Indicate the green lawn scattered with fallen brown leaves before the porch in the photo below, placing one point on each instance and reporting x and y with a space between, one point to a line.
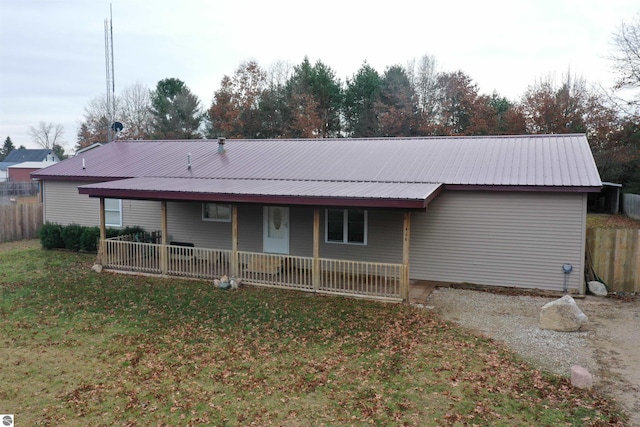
79 348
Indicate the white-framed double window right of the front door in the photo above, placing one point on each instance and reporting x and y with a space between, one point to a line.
346 226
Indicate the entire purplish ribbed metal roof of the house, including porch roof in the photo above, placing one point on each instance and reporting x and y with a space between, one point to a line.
334 169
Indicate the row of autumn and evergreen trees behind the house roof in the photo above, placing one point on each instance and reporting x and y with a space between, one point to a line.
309 101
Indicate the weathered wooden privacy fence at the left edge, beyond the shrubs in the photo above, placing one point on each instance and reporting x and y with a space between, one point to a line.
21 221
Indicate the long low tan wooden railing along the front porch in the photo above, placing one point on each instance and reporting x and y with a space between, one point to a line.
330 276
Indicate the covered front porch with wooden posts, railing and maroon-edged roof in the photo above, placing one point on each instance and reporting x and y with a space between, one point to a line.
387 281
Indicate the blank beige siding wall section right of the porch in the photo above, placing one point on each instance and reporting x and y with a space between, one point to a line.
502 239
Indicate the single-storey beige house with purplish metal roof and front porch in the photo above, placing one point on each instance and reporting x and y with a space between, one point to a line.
497 210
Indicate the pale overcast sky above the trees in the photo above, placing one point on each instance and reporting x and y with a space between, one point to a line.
52 60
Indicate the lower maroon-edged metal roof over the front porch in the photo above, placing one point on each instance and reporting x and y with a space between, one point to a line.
291 192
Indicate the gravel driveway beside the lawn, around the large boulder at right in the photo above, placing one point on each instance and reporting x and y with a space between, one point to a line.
608 346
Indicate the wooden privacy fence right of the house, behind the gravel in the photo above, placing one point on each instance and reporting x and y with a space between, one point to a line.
615 256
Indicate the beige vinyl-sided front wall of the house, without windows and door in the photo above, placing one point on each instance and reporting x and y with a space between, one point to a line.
487 238
